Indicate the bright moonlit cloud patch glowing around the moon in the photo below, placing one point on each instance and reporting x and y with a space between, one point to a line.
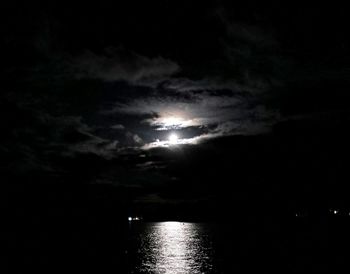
202 113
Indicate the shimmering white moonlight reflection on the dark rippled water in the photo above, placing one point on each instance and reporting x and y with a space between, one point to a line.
174 247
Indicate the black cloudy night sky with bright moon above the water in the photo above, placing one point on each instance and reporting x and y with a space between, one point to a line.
178 107
